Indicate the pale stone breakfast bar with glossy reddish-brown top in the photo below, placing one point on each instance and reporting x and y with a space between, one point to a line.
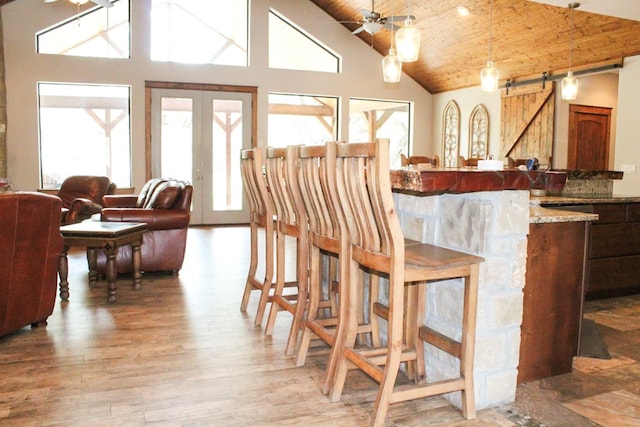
486 213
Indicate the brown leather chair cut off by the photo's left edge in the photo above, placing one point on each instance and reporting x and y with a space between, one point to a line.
29 254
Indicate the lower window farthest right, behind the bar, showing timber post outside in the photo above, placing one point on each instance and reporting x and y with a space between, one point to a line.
370 119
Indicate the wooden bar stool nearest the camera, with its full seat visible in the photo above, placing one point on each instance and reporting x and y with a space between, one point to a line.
377 246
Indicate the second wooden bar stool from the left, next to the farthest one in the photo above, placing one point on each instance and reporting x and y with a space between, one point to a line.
284 189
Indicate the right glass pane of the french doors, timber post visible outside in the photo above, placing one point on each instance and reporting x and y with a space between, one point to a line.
226 145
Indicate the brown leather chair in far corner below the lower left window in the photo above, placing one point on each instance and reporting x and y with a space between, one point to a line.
82 195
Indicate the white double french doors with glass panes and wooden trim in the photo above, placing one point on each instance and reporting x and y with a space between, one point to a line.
196 136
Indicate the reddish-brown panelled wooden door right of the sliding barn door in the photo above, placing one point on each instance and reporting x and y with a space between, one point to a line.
589 129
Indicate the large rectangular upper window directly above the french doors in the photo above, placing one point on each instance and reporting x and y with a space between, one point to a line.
200 32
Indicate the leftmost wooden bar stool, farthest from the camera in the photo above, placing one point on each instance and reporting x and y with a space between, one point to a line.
261 217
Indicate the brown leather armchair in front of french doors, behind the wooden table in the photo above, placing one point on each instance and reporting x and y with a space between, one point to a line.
164 205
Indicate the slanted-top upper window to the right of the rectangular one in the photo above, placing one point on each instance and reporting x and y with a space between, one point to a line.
292 48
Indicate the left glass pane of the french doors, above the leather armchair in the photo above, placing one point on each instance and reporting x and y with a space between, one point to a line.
176 138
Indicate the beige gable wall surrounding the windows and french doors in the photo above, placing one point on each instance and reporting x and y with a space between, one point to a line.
361 75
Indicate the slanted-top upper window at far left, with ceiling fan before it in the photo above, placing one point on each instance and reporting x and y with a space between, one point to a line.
98 32
